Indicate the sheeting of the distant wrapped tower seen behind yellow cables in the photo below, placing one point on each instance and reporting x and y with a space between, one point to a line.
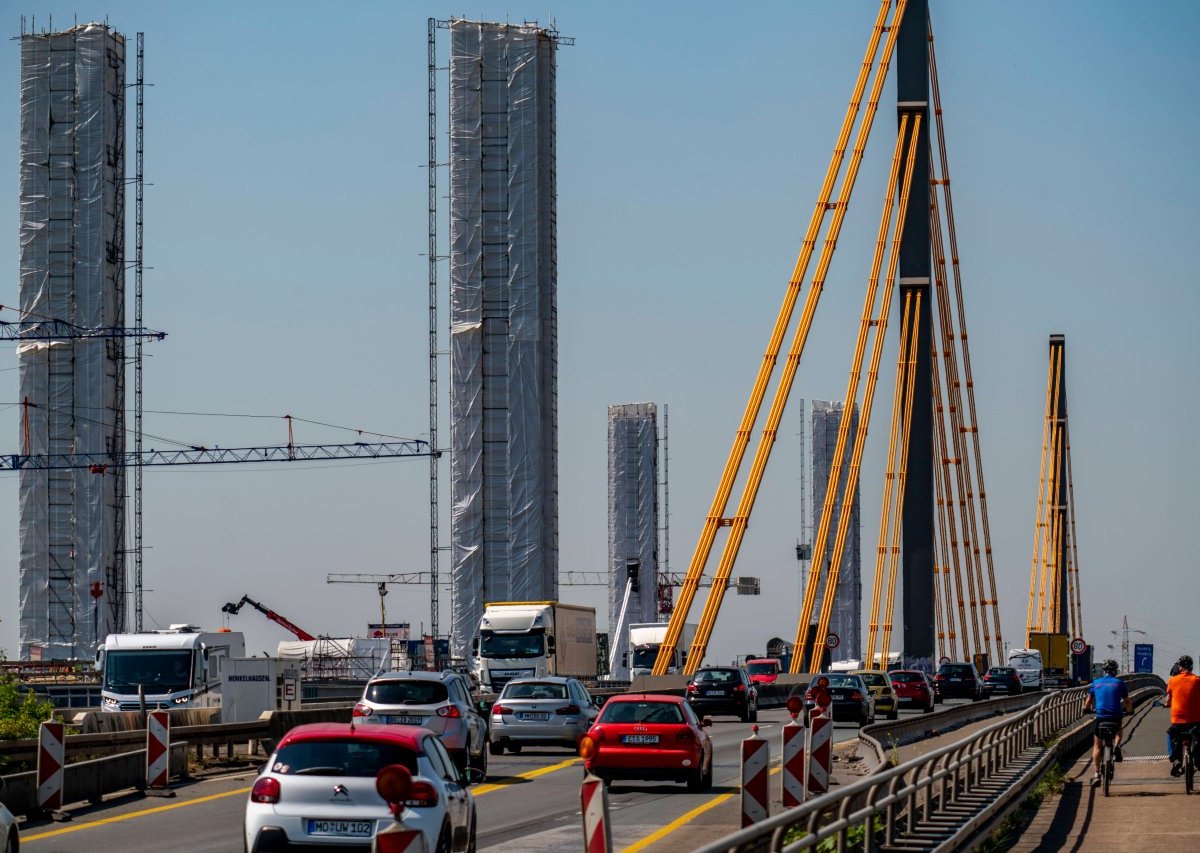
848 608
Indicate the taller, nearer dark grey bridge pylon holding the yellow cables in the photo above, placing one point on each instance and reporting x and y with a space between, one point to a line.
916 272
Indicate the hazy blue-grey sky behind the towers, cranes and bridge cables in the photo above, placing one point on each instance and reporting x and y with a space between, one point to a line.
287 219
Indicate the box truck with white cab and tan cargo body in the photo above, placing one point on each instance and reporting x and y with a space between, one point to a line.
535 639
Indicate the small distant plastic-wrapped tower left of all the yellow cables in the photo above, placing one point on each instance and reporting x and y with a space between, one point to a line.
633 516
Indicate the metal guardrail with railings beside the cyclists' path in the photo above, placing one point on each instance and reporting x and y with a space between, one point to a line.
962 786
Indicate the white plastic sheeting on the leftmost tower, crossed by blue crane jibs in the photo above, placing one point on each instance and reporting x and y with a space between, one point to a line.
73 202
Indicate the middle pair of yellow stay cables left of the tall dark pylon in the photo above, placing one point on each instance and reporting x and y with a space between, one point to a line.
835 568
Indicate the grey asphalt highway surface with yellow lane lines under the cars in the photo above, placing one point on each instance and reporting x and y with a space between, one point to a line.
530 802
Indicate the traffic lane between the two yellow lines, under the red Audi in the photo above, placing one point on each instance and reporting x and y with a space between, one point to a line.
544 814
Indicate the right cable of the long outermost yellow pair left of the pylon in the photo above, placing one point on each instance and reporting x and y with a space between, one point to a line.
740 522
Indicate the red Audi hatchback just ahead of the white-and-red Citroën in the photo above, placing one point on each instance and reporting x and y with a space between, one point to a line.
645 736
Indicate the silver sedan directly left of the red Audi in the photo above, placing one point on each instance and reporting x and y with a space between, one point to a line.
542 712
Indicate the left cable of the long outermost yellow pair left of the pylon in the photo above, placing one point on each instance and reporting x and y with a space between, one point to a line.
742 440
